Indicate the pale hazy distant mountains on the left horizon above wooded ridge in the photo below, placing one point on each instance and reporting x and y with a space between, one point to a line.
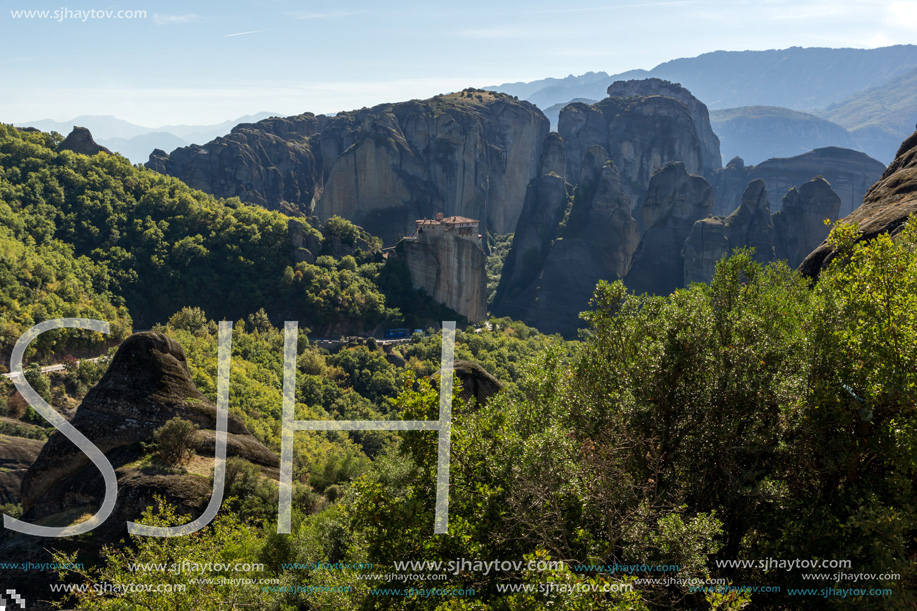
136 142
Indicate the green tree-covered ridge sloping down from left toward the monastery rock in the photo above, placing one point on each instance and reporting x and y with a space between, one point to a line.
100 238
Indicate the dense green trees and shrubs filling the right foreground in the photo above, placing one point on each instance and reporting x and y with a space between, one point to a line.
756 417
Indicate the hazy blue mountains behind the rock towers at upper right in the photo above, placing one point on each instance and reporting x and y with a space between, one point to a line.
868 94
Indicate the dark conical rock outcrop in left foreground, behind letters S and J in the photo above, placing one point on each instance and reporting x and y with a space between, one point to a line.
147 383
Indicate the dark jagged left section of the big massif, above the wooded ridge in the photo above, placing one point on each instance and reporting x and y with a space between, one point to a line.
275 163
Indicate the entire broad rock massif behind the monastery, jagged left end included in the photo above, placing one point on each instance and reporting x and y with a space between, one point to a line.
468 154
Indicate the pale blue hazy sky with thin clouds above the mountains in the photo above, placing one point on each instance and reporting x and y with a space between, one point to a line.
203 63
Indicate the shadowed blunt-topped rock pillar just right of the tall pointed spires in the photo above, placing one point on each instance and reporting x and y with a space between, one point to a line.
674 201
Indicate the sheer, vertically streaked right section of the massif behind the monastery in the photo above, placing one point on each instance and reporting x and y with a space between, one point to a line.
468 154
